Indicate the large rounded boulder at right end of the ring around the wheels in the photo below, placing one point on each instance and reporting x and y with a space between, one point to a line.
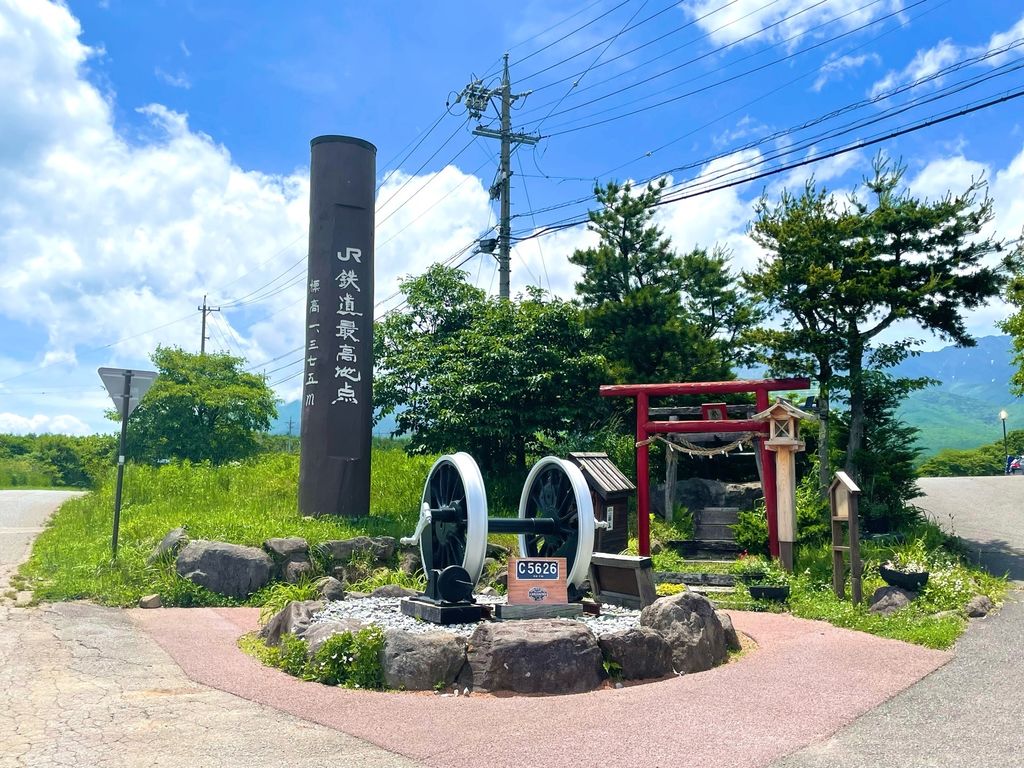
692 627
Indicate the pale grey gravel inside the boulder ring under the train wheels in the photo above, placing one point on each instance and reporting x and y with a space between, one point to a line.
387 613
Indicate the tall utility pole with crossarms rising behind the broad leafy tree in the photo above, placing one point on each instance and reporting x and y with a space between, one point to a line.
479 99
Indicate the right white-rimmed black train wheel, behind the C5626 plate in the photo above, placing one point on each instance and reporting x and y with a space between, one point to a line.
557 489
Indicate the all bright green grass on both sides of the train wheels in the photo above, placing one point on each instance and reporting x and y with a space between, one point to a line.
248 503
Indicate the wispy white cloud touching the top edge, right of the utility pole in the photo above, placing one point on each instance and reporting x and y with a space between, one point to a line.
782 21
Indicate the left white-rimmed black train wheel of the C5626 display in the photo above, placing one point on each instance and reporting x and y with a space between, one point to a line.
455 481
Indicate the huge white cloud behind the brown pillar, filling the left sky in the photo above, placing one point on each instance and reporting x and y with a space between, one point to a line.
103 239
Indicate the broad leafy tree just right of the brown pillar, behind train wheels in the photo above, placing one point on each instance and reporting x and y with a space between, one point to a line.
464 372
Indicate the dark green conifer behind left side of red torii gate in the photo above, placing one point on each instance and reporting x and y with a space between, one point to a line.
632 292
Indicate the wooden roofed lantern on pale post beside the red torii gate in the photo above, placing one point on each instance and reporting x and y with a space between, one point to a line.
784 440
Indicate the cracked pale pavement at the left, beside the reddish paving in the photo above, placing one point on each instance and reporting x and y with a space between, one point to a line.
81 686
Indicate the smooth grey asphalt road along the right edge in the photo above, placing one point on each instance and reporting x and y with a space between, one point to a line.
971 712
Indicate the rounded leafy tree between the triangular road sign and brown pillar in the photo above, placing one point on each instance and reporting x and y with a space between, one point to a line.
201 408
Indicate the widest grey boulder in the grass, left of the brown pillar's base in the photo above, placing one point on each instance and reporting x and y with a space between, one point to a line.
226 569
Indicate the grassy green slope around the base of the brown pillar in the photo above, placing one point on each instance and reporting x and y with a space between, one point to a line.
244 503
